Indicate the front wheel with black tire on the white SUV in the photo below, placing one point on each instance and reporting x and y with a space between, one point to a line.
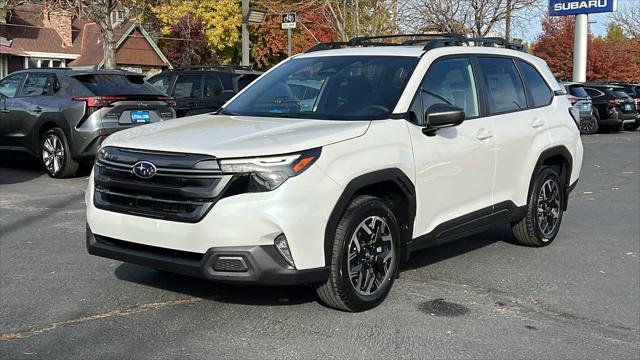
339 291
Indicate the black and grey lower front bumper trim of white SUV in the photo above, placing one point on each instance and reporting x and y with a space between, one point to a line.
258 265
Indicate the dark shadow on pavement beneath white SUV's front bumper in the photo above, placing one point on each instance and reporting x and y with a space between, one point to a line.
210 290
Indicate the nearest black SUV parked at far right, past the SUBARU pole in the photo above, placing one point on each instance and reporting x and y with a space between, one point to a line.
613 106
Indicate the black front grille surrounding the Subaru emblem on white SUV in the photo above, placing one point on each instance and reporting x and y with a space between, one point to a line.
177 192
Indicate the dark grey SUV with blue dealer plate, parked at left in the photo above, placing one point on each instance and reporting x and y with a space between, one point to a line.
63 115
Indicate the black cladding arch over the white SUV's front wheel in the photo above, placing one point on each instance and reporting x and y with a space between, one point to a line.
390 185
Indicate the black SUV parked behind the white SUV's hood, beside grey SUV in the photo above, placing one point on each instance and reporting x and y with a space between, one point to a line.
200 90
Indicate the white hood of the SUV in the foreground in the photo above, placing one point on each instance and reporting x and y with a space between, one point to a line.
236 136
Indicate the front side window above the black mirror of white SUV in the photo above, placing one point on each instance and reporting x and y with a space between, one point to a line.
450 82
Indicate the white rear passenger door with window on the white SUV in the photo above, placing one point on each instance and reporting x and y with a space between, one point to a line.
516 96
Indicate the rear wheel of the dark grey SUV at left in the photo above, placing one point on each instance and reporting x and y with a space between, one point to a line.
55 155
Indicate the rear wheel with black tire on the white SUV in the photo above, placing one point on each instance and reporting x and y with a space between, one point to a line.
531 230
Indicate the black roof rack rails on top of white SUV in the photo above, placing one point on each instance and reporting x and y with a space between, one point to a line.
432 41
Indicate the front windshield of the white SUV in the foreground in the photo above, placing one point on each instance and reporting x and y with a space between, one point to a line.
328 88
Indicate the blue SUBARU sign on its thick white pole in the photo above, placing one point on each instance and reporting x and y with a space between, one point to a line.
581 9
